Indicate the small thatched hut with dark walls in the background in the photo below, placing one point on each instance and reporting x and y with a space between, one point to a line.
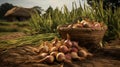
18 14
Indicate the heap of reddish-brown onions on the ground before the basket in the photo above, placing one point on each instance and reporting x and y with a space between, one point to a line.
62 51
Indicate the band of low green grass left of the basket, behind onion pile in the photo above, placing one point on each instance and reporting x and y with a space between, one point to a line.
27 40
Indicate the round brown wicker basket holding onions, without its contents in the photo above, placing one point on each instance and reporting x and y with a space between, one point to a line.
83 35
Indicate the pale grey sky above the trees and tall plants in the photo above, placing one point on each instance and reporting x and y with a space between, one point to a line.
43 3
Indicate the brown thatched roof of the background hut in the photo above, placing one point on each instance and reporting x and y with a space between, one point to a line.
19 11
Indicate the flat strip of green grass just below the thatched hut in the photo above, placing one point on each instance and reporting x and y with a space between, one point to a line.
13 26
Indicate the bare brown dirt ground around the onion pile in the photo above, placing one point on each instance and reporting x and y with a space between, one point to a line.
21 57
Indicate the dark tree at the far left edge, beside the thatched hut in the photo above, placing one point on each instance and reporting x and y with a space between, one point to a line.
4 8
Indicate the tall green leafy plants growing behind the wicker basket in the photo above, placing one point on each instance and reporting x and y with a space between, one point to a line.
49 21
